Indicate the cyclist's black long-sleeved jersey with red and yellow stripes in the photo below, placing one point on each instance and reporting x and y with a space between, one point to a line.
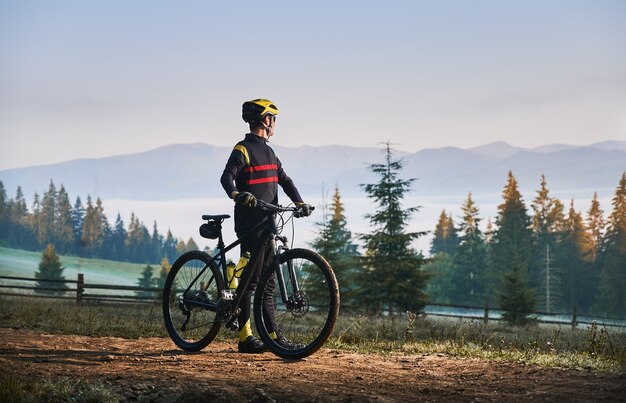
253 167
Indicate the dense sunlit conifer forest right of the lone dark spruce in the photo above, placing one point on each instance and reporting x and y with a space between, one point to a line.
553 260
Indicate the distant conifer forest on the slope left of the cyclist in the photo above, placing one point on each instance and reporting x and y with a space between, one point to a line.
81 229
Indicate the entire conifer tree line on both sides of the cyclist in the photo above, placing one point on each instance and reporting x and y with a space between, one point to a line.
551 260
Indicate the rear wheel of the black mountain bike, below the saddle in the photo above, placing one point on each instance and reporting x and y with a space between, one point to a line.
190 300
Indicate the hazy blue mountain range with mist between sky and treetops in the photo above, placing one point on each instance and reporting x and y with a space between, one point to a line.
184 171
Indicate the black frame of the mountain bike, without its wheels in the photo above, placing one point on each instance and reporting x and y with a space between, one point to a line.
268 229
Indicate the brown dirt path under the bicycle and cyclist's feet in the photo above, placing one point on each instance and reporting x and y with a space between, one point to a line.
152 369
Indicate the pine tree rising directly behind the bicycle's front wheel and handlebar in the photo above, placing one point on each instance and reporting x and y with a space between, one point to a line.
334 242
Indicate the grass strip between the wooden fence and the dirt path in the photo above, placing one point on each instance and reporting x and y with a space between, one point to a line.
587 347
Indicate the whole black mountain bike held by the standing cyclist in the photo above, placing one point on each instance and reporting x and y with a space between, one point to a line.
197 302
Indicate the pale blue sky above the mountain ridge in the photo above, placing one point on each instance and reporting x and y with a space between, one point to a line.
98 78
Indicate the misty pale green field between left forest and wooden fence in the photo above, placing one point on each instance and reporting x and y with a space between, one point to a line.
20 263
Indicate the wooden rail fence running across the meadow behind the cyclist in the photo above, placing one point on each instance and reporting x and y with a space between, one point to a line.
77 291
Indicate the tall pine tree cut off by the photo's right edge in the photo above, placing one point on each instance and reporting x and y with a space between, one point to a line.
612 258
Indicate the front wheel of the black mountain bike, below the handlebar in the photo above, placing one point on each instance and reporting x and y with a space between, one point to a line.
306 315
